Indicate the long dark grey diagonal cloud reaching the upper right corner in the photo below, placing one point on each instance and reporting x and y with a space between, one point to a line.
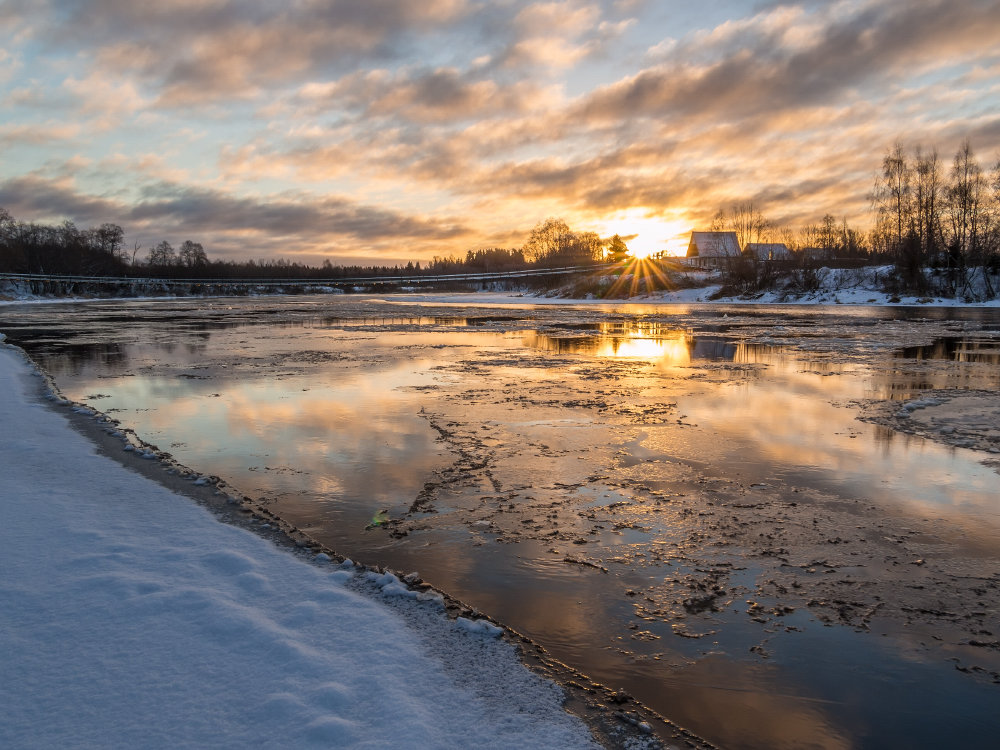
769 63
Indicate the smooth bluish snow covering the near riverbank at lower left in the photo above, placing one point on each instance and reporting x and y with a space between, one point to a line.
132 617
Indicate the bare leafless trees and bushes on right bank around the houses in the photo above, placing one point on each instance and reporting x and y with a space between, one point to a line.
936 225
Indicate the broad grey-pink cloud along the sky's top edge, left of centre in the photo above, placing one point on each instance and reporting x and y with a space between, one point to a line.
192 52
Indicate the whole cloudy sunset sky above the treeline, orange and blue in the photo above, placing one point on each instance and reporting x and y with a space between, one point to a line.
386 131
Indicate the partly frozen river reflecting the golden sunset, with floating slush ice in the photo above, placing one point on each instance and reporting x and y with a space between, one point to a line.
679 501
